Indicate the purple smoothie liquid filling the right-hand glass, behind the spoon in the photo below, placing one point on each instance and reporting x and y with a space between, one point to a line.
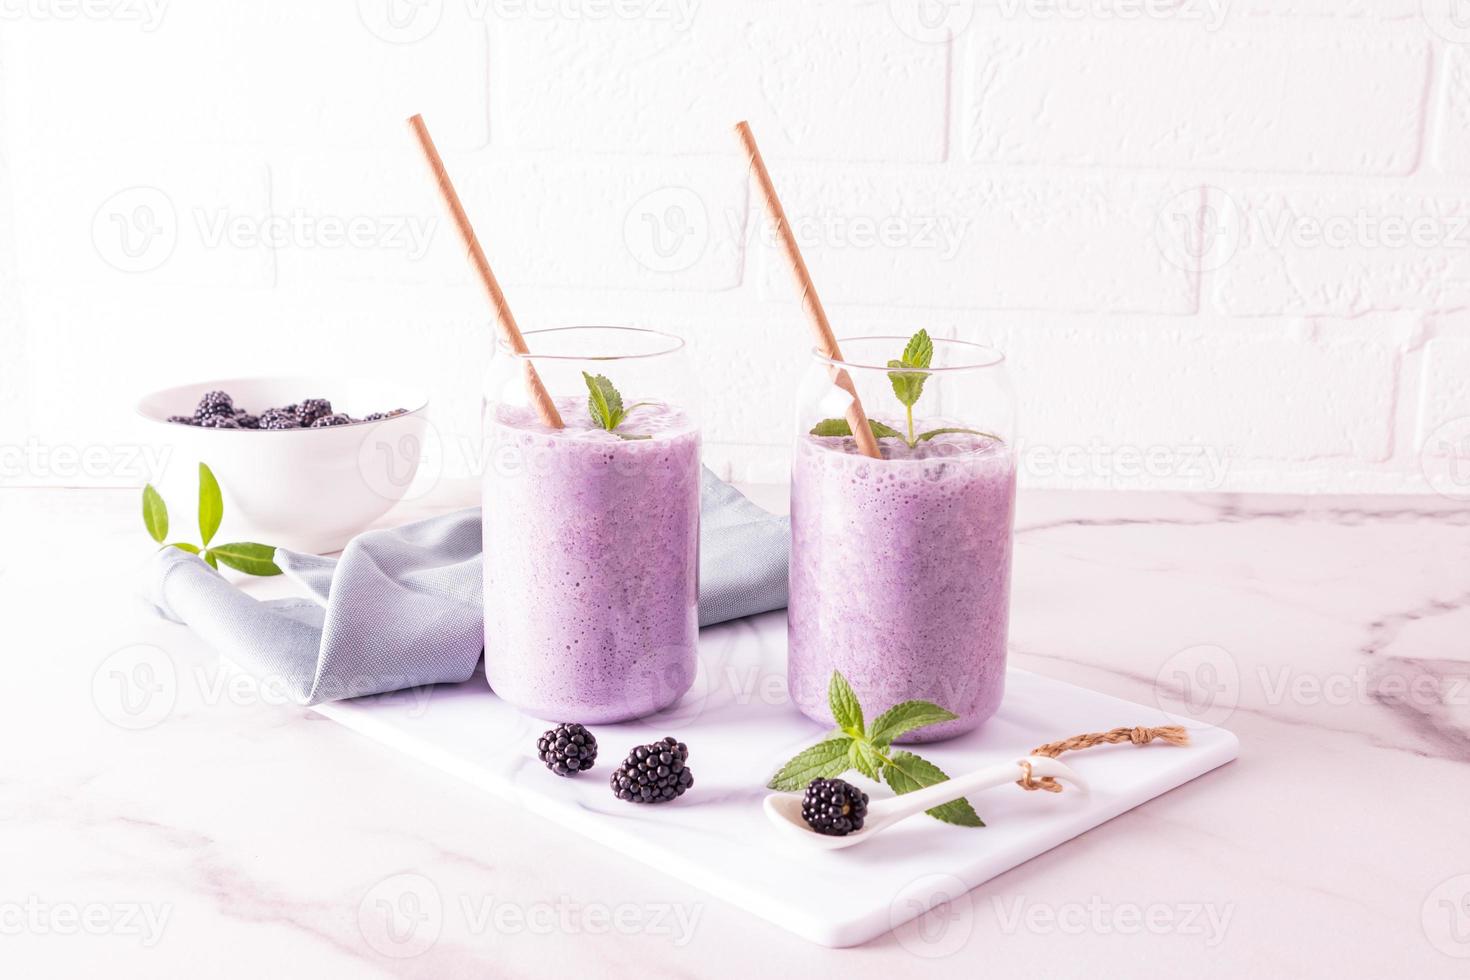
900 575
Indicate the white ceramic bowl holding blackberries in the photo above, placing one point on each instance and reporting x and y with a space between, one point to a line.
306 490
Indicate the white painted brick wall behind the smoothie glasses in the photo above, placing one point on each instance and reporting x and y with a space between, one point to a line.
1224 242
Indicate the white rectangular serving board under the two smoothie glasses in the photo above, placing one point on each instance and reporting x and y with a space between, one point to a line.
740 729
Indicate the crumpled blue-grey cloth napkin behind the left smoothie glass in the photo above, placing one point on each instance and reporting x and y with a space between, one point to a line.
402 608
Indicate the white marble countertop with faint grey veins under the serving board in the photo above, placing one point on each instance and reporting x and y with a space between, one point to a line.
217 831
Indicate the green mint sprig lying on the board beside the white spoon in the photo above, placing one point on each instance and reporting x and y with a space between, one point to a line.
868 750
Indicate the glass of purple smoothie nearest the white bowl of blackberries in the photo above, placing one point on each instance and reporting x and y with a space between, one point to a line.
593 531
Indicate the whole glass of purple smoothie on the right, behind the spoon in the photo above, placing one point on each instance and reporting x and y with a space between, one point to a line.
900 566
